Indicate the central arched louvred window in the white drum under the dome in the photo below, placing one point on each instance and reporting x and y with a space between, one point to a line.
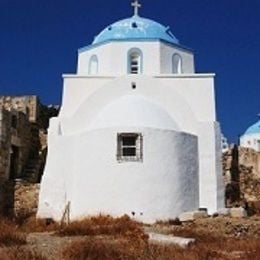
135 61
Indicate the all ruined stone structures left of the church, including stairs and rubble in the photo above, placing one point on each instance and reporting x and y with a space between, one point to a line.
23 148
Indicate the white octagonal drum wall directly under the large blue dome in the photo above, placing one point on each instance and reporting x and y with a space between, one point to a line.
112 58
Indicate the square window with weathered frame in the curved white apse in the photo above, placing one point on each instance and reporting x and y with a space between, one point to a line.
129 147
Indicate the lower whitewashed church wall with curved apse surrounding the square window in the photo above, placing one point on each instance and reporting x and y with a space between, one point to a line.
161 187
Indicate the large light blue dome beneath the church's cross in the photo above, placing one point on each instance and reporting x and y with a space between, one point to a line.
136 28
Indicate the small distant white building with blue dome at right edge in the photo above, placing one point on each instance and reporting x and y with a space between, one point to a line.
251 138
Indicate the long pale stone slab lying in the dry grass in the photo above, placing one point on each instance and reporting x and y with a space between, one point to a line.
167 240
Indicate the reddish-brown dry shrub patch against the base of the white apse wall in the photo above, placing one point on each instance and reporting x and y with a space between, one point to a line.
103 225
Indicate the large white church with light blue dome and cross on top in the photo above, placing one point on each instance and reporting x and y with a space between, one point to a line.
137 131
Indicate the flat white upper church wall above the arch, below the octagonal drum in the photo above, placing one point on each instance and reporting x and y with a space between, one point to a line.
185 98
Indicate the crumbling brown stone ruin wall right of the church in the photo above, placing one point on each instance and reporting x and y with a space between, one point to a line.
241 168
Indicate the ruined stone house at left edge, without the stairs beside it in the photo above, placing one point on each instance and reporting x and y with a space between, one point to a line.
17 116
